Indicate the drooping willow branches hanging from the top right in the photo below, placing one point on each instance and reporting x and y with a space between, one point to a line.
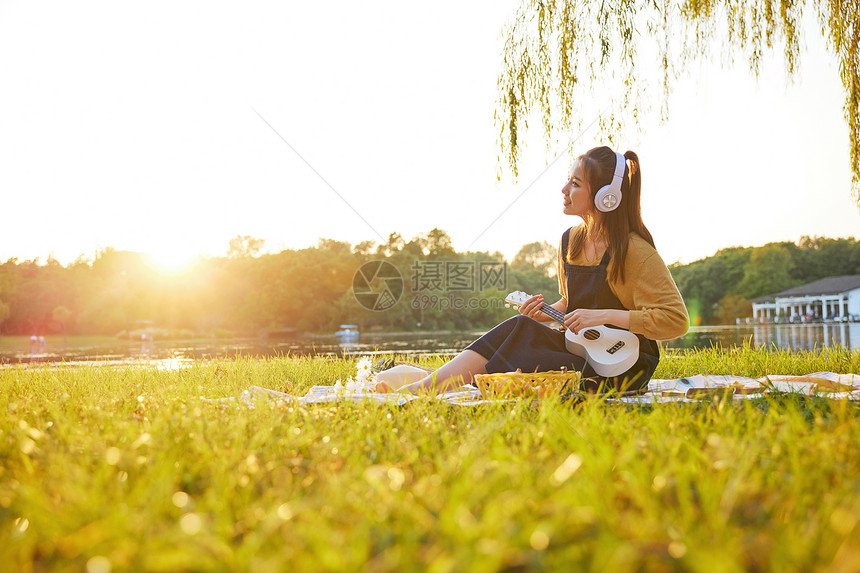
556 50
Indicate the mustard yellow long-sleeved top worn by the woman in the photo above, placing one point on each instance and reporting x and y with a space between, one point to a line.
656 308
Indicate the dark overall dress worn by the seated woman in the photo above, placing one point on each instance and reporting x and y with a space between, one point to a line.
522 342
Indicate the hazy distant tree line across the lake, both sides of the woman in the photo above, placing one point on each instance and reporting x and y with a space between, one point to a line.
313 289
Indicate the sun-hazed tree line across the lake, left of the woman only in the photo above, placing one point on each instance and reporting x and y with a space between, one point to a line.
249 293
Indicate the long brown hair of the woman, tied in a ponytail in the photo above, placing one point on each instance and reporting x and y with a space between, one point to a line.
598 164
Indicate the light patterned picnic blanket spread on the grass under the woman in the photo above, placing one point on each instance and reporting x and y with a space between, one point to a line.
688 389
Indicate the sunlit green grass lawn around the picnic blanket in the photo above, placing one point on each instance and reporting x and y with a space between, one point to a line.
127 470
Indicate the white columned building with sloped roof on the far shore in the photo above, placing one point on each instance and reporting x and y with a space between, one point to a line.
832 298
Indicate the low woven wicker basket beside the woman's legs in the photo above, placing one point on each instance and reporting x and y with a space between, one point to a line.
513 384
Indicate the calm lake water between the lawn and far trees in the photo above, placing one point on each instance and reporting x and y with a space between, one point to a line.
83 350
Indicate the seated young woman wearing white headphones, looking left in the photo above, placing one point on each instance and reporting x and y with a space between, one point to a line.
609 273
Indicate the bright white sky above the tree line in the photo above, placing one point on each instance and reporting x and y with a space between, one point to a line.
136 126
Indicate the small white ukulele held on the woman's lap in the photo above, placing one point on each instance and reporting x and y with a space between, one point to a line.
610 351
